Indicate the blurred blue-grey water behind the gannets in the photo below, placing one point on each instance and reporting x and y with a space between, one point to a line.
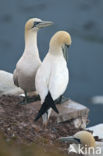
83 19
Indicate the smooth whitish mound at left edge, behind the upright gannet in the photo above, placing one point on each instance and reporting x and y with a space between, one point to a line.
7 85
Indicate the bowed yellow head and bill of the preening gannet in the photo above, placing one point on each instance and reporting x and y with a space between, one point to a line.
60 40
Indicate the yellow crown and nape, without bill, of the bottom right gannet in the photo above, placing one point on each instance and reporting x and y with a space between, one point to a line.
86 138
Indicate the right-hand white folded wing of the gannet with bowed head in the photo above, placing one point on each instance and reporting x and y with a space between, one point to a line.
58 80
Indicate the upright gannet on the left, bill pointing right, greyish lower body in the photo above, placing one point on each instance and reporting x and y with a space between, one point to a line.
26 67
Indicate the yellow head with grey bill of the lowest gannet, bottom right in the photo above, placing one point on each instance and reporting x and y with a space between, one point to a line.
82 137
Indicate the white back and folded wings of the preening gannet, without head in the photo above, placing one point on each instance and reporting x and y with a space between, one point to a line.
52 76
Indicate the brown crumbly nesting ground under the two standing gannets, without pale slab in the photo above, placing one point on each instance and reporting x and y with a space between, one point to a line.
18 120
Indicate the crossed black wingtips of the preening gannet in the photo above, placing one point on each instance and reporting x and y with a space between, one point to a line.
49 103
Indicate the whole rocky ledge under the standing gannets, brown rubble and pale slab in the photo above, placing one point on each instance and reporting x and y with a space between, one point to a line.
17 121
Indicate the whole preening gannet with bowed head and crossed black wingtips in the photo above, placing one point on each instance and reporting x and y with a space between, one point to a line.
52 77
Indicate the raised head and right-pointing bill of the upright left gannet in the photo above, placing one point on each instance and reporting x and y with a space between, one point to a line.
36 24
